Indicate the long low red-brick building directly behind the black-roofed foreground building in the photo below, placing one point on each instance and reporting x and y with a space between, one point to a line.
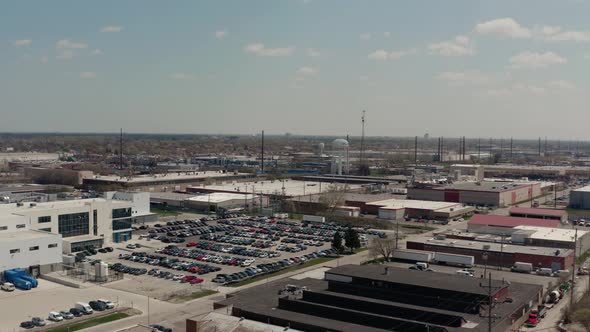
497 253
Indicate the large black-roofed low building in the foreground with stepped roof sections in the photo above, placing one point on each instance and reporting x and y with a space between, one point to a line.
372 298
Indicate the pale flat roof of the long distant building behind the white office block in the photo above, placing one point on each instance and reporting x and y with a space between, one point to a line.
176 176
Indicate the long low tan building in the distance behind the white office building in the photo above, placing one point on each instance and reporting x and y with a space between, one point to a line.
176 181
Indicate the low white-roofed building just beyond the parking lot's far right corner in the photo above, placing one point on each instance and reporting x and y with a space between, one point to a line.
398 209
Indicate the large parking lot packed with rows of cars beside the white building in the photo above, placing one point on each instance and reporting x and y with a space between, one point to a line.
194 254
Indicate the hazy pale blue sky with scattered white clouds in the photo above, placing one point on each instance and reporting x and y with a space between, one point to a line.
474 68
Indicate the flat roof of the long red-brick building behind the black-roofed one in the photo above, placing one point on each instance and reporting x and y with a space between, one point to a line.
494 247
